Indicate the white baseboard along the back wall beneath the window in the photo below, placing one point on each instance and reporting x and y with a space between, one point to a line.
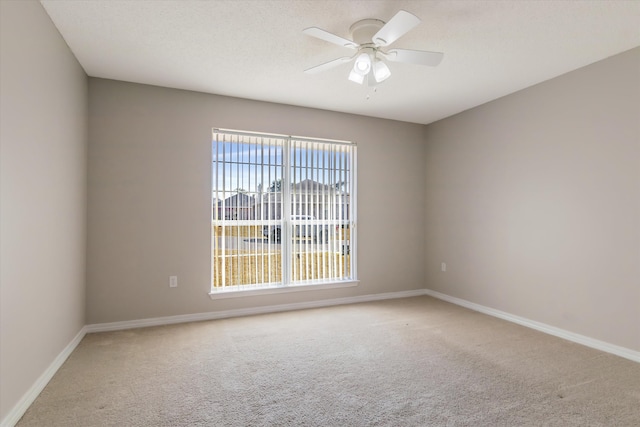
196 317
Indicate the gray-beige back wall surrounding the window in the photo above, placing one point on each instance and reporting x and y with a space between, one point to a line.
150 190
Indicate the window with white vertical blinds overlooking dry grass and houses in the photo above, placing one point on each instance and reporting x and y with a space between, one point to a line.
283 212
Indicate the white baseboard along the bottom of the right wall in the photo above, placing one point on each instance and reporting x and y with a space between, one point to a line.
542 327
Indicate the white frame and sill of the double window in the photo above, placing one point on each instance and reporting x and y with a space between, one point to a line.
287 247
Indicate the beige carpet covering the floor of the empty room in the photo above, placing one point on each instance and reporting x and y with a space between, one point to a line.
406 362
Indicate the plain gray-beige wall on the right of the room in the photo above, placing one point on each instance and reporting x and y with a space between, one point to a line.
533 201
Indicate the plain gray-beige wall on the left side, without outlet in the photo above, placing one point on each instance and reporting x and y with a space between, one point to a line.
43 134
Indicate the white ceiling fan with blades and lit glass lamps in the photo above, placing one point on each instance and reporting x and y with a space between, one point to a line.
371 37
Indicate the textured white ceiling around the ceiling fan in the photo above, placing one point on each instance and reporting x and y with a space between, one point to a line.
255 49
